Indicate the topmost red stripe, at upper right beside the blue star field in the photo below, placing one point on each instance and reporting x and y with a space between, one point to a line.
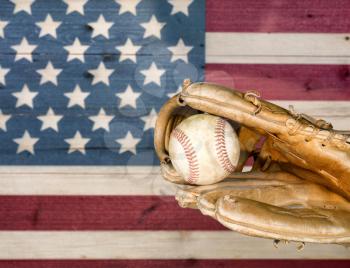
321 16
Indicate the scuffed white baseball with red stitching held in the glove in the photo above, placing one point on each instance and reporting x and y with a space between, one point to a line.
204 149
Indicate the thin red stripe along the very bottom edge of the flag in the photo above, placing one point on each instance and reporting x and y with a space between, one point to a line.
176 263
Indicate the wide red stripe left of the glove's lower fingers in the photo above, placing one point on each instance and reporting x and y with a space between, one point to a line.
99 213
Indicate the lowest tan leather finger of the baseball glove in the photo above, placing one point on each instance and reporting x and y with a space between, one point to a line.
260 219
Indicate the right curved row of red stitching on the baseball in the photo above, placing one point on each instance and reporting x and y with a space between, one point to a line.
220 146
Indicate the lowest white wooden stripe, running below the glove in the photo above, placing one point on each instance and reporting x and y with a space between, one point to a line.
154 245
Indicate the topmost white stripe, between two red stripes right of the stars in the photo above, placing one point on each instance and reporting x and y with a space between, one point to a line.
278 48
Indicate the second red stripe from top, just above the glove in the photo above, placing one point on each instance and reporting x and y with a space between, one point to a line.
285 82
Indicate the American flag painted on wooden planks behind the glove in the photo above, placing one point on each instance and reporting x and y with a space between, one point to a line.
81 83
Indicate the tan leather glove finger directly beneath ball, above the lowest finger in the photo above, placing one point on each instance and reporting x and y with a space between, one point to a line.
298 195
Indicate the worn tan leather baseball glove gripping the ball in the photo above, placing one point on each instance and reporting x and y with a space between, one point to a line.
299 186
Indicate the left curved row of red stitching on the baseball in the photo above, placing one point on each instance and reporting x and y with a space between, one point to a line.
190 154
